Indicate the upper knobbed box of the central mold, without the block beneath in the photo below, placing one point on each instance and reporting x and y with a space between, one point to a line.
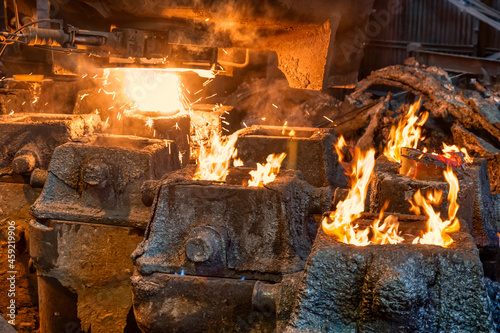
230 230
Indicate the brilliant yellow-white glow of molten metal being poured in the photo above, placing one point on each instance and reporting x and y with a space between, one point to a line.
154 90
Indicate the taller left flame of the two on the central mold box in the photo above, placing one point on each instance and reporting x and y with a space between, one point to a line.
213 162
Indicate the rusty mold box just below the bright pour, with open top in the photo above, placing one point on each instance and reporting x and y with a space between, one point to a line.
99 179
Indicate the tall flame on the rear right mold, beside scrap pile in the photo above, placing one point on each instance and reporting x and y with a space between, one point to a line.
407 134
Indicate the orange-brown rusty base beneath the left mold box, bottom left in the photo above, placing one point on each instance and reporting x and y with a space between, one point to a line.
92 262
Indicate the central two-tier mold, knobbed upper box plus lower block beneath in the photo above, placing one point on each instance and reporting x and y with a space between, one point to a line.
214 253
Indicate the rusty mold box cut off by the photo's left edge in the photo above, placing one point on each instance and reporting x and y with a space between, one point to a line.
27 141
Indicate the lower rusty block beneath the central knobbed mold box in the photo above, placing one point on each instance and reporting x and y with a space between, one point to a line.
176 303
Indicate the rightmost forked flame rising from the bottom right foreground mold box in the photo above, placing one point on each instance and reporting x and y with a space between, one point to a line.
437 229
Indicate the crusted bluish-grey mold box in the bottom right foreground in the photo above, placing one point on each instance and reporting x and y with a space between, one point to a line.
391 288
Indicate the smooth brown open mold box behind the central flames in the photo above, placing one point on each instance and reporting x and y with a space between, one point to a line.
310 150
